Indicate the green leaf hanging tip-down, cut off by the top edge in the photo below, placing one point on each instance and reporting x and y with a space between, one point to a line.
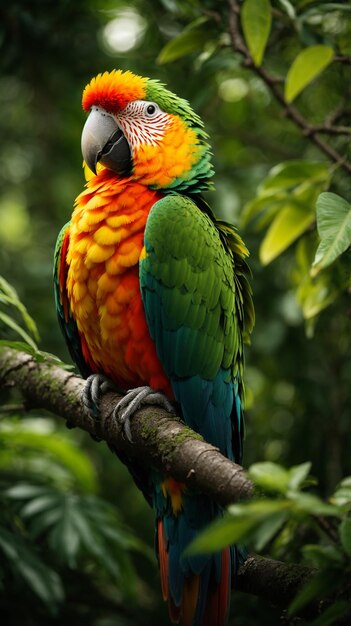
256 19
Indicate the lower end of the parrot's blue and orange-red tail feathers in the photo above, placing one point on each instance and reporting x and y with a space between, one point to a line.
197 592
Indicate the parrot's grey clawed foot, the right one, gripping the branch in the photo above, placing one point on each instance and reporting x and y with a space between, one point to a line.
133 400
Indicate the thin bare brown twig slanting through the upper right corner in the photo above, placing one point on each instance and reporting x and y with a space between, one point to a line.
272 82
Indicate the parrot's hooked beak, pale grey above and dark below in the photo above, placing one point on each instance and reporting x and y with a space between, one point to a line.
103 140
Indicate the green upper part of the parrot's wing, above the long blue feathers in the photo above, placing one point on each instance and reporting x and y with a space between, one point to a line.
196 270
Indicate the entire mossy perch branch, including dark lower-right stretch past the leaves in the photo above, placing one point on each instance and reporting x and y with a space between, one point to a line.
162 441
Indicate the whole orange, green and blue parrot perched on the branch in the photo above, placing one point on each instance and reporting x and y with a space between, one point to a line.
152 291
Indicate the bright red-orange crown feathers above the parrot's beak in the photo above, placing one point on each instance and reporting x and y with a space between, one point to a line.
113 90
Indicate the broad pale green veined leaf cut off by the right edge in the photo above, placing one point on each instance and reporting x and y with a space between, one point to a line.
334 228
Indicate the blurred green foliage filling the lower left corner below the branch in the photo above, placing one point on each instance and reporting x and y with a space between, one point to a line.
53 522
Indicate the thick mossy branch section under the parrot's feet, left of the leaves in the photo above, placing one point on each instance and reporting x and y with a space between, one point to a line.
158 439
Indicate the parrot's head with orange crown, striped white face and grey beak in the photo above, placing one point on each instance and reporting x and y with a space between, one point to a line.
137 128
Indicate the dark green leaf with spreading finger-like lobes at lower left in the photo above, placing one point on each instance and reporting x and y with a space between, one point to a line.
78 528
